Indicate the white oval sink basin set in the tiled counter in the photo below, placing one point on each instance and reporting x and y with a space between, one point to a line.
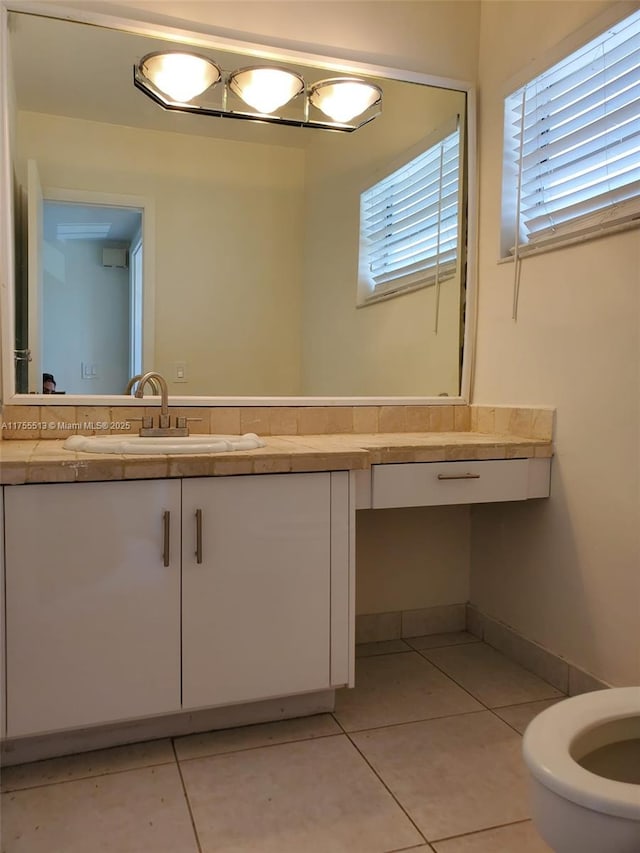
142 444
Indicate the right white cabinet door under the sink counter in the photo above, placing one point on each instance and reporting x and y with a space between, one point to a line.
256 609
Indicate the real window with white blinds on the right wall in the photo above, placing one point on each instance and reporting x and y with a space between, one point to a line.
572 145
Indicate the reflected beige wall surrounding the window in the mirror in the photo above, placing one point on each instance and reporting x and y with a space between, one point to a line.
404 355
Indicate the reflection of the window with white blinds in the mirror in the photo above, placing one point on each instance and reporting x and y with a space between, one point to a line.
409 223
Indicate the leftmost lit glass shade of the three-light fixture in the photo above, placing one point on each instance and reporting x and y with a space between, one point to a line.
180 76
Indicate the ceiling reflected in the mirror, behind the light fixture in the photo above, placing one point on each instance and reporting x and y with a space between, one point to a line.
86 71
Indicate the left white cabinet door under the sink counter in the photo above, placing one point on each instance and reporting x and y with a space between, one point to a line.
93 615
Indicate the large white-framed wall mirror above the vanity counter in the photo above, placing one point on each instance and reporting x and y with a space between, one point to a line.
227 255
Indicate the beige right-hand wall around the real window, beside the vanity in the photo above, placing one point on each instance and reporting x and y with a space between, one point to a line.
564 572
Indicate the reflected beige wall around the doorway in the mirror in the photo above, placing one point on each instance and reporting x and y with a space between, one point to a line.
228 243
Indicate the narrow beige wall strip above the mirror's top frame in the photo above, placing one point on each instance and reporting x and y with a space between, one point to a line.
432 36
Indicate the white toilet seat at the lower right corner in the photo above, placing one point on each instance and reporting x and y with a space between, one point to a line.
548 739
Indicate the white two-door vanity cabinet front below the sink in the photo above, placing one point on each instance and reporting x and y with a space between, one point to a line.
133 599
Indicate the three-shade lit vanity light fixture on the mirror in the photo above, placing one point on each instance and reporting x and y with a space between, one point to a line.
186 82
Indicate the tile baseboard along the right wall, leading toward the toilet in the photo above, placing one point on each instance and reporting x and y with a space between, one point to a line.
562 674
